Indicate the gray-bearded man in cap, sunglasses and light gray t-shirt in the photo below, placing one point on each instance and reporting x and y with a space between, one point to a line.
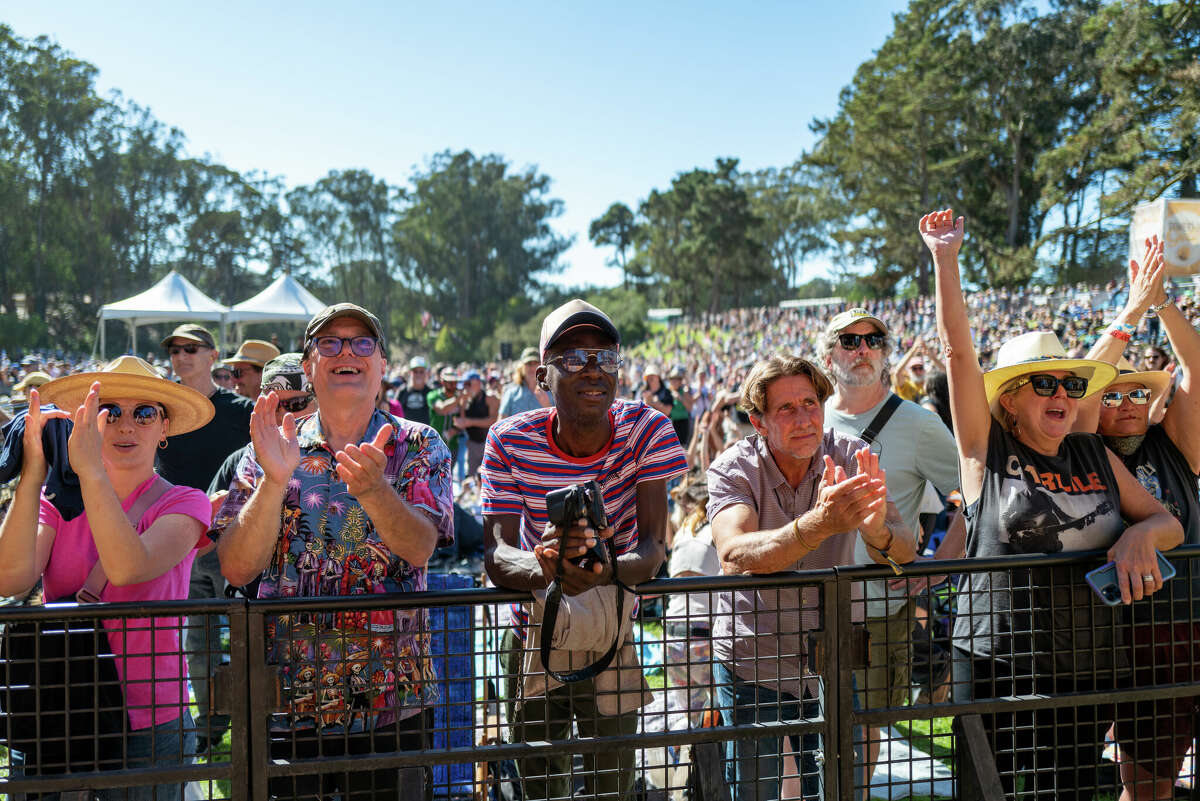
915 448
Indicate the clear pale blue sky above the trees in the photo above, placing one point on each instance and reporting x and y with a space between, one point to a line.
611 100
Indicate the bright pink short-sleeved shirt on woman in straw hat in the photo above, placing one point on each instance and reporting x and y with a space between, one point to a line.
149 658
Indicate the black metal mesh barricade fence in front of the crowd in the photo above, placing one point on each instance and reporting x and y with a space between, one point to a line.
788 696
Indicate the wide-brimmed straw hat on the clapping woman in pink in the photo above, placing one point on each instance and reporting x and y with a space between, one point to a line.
129 377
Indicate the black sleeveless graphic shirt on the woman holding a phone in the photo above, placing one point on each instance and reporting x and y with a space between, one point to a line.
1041 618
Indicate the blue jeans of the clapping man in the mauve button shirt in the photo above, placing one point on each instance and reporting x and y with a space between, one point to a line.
753 768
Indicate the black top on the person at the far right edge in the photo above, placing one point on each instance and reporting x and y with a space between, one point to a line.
1161 468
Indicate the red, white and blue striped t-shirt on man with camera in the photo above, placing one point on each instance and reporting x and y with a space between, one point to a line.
523 463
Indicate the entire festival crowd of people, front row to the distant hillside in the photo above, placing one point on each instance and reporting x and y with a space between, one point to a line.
748 443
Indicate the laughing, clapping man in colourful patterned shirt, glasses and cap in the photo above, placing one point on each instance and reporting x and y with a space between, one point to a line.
350 502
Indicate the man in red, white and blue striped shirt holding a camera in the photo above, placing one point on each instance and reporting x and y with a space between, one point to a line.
632 451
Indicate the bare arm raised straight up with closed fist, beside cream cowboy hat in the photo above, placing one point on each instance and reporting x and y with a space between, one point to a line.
969 402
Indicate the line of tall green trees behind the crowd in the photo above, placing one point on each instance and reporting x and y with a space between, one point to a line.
1047 125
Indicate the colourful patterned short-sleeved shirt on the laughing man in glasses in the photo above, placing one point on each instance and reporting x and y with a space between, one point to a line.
349 671
